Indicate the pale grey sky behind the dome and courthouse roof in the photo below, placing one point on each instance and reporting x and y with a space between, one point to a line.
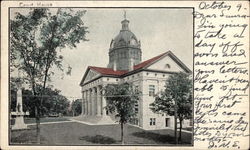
159 30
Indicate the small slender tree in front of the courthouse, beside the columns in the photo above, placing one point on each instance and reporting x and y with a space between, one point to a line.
121 100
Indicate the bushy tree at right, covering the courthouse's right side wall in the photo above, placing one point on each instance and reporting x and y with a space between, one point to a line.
175 100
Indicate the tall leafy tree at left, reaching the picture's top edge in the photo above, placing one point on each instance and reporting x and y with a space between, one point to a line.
36 38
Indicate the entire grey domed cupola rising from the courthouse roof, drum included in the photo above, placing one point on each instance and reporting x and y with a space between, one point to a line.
124 50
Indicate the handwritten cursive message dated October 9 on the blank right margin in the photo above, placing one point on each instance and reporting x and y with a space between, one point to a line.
221 74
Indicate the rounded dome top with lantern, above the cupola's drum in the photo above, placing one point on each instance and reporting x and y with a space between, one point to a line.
125 38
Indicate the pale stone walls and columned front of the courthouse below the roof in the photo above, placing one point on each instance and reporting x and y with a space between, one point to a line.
94 103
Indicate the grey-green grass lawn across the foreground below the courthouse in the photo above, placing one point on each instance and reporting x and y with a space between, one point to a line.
73 133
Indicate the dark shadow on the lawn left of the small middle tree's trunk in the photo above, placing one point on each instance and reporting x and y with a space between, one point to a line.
98 139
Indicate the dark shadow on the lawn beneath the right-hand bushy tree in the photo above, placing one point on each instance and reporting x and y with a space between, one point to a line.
158 138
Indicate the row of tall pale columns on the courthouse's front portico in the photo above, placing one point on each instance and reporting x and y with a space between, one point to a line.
93 102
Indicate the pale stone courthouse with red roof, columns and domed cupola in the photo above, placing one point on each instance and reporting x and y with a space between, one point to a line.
125 65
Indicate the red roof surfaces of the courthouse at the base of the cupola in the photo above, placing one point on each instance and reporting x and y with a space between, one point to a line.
110 71
